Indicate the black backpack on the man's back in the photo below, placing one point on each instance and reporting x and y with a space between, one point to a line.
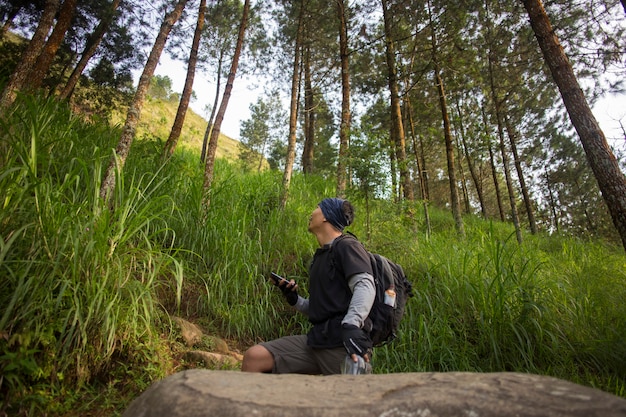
384 319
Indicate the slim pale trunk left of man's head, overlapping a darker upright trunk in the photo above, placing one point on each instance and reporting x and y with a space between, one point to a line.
293 110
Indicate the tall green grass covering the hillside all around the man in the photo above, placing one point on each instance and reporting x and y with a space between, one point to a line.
86 293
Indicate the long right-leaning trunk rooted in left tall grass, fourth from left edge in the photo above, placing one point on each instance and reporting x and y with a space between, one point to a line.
134 111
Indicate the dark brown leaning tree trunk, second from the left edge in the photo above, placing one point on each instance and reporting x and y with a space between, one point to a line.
44 60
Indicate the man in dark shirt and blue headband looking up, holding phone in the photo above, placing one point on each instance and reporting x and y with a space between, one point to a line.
341 295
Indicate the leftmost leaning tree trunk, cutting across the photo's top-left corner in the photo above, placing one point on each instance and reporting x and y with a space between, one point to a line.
29 56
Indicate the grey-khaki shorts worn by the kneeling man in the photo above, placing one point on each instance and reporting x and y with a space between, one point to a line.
292 355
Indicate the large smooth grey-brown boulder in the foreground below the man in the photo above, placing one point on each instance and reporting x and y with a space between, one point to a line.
197 393
